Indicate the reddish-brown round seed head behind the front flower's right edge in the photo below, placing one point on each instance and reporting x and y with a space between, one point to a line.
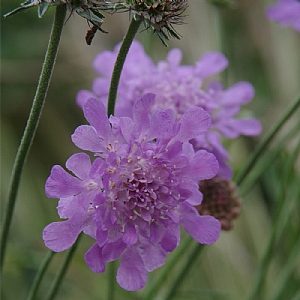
220 199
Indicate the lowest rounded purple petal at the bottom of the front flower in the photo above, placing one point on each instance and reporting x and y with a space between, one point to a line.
132 274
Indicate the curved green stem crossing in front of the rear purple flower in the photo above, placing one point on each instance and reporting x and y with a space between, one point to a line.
127 41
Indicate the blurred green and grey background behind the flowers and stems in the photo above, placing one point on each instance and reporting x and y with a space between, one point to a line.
259 51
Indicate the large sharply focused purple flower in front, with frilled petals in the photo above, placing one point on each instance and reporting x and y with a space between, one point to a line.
142 185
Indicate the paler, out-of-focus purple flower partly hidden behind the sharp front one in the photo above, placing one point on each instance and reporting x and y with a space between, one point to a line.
179 87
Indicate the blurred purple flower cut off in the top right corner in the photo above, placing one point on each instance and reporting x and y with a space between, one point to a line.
286 12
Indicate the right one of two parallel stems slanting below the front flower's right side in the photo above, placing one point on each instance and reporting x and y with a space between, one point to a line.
191 260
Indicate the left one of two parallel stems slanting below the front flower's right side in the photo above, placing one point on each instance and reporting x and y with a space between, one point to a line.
166 271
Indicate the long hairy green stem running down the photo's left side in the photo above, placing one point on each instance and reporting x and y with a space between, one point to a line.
32 123
